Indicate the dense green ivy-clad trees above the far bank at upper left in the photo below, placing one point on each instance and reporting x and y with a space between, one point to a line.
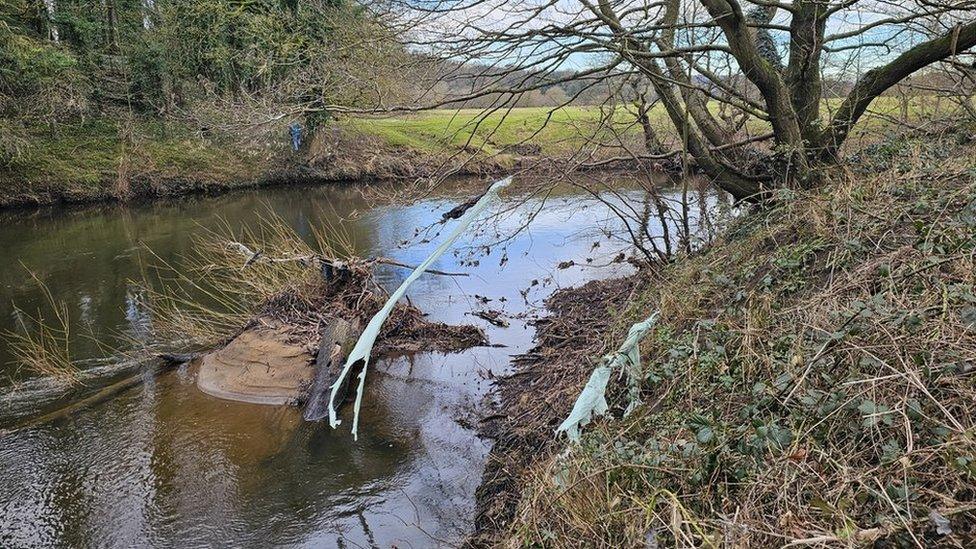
212 60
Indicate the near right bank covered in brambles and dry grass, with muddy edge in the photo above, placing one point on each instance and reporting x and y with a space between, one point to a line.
809 382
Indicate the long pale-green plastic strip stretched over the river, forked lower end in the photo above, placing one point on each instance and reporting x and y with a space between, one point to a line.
364 346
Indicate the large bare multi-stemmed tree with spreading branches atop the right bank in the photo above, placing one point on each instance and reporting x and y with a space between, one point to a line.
806 69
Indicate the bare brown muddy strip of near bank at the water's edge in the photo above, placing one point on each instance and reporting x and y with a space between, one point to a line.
540 392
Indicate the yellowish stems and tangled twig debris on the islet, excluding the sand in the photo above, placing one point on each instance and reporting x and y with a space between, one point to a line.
234 280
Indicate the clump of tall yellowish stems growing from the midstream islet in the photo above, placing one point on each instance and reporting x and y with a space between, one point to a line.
229 275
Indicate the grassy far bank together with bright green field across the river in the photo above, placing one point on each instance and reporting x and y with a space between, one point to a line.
117 159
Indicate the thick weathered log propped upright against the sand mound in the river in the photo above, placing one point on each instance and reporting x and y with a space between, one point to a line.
337 339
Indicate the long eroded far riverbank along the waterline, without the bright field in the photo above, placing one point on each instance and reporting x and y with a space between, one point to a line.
90 164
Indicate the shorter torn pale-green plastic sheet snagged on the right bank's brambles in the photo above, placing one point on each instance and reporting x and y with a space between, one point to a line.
592 401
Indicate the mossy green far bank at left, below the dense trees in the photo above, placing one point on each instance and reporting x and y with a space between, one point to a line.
108 159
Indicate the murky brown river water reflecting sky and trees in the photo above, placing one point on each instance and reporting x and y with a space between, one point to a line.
162 464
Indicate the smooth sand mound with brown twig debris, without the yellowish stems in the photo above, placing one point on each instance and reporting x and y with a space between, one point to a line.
304 333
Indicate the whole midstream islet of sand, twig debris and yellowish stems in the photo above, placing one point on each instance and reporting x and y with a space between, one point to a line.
264 298
